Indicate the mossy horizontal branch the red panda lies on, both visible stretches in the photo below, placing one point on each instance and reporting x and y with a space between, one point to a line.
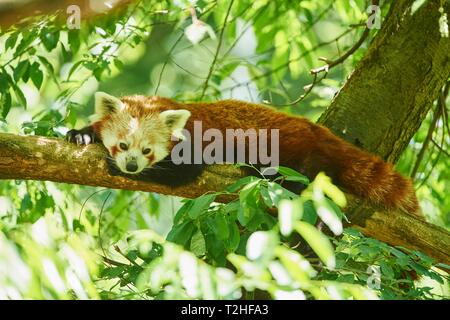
41 158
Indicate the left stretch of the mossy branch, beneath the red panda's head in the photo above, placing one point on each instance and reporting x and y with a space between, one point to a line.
50 159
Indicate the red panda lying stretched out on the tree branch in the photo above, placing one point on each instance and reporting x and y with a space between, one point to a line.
138 131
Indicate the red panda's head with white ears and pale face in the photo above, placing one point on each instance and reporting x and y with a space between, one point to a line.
136 133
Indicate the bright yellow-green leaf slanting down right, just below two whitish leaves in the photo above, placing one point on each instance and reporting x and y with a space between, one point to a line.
318 242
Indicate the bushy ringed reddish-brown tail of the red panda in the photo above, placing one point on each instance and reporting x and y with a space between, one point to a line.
363 174
